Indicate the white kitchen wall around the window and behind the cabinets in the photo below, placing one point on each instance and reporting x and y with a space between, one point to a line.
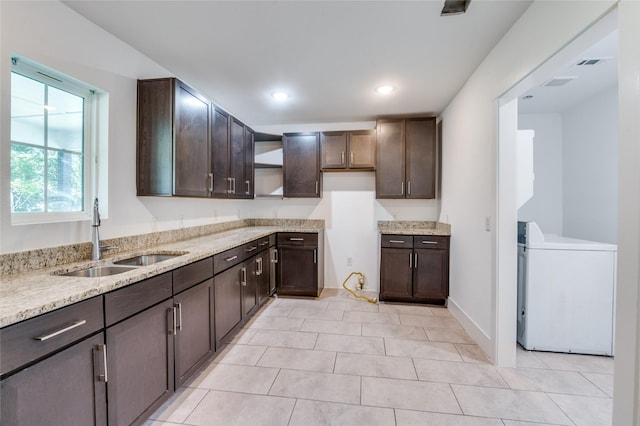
61 39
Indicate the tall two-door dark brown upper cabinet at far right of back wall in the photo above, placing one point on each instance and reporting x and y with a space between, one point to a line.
406 158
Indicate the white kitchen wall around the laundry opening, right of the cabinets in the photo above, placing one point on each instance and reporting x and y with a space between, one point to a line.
469 157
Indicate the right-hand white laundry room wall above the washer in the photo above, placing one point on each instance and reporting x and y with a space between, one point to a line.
590 164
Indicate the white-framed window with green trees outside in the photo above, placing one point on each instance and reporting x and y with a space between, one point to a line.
51 145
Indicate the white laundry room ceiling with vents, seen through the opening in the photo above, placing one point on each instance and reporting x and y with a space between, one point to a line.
584 81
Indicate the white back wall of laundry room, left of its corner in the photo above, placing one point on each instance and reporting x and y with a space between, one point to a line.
545 207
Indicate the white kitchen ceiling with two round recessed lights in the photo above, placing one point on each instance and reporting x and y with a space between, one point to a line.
328 55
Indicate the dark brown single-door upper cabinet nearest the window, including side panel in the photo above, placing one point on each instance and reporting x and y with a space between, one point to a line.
172 140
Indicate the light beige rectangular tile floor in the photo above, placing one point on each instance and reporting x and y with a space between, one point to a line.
340 361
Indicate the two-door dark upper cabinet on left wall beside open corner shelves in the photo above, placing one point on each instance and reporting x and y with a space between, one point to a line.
231 156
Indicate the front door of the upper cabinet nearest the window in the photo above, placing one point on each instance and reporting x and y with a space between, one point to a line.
191 168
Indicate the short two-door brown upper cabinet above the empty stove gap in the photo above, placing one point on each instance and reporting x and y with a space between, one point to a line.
348 151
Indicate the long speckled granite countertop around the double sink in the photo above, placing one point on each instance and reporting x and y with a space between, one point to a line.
29 294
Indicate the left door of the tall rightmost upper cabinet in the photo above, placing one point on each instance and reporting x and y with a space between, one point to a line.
390 167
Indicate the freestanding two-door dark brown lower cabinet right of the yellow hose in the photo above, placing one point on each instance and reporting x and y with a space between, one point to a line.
409 272
